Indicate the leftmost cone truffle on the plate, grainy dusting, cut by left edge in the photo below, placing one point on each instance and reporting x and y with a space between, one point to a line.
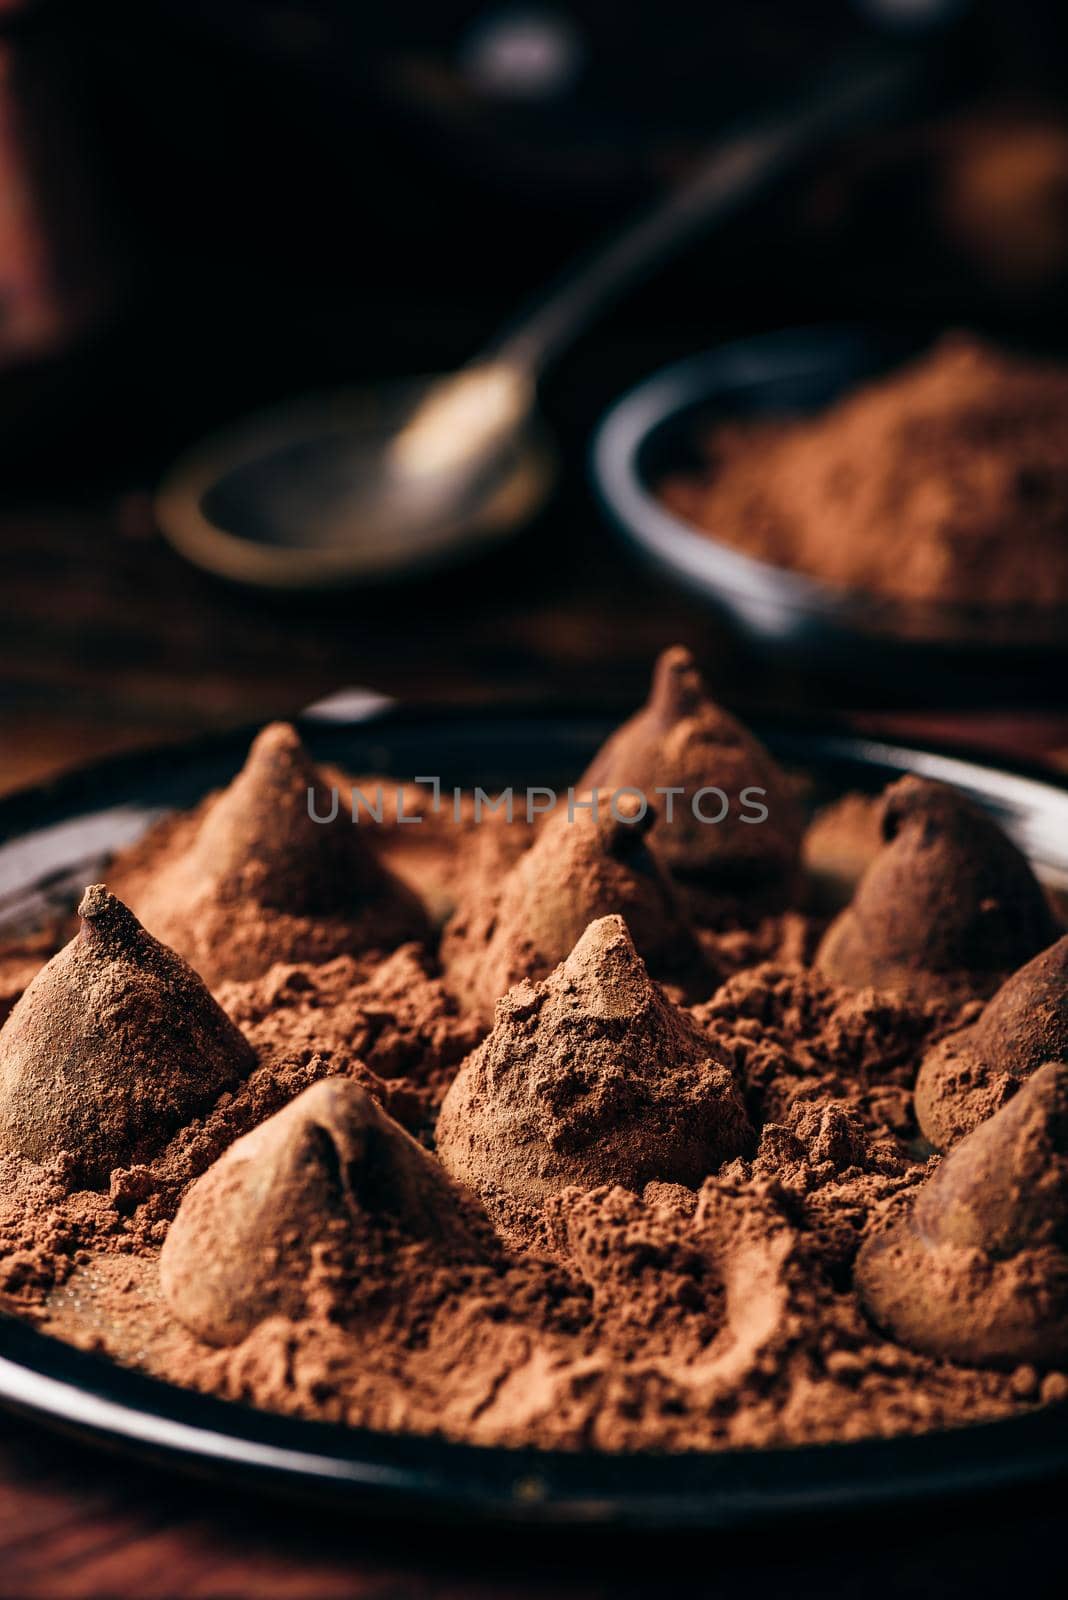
113 1047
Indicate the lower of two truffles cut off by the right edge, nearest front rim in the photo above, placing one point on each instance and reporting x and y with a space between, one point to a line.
979 1273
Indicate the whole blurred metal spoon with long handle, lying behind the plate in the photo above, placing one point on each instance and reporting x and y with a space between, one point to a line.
381 481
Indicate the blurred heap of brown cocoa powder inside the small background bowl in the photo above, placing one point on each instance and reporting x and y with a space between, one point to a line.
946 482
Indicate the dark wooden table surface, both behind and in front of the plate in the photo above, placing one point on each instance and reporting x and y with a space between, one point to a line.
110 642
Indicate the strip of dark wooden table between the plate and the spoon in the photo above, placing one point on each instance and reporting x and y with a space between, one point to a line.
110 641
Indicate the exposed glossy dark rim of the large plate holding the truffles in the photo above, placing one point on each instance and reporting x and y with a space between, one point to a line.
57 838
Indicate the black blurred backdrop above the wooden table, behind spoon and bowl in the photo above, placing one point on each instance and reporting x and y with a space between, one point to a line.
239 199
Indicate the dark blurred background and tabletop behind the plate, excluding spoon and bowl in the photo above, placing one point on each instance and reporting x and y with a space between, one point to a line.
215 204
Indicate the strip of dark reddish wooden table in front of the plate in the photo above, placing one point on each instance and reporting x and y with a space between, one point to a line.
78 1526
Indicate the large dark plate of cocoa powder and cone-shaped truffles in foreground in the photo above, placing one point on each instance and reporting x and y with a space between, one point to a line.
522 1119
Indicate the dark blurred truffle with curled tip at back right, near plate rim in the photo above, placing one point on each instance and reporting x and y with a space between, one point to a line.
946 911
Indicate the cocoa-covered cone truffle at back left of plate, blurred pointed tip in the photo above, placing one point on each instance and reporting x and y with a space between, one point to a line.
258 879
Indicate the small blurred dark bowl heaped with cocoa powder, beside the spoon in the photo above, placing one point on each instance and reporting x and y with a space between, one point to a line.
848 492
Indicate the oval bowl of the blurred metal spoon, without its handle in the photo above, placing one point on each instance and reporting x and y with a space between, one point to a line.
313 495
